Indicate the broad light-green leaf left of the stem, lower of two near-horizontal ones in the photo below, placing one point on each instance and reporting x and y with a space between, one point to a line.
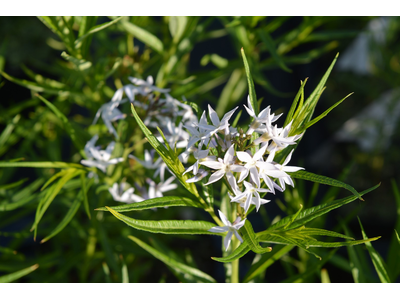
167 226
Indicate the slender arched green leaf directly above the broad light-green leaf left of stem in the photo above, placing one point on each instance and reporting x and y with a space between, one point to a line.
155 203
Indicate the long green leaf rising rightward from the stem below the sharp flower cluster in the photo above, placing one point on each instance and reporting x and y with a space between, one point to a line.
309 214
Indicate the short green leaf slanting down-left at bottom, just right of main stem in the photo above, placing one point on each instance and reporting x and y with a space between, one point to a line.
267 260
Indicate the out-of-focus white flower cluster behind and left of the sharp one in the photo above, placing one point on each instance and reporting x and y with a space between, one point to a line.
161 110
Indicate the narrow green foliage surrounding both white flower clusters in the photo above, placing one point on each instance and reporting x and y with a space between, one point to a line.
79 80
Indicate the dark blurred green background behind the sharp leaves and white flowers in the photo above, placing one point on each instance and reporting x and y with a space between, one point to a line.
199 58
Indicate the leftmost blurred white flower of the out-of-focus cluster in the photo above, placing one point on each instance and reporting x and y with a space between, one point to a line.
99 158
